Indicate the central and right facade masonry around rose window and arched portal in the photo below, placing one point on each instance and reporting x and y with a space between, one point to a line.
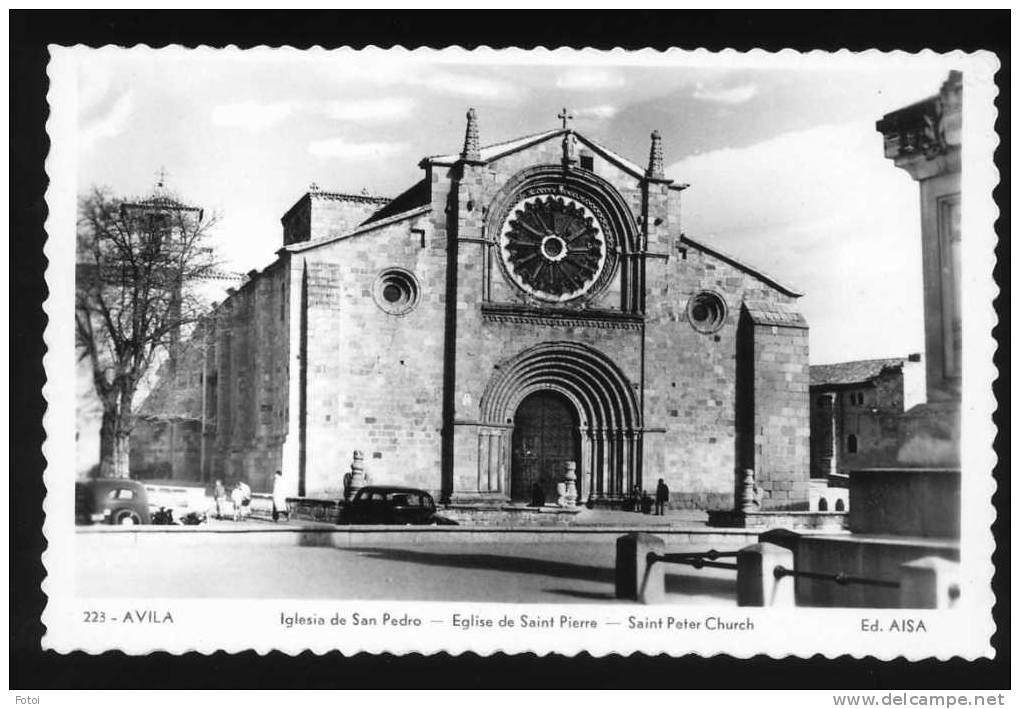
687 379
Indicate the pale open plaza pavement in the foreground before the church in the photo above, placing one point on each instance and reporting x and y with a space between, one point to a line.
260 560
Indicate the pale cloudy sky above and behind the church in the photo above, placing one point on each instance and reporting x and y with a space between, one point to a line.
786 167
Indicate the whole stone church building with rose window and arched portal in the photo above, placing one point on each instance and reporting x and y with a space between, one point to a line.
525 306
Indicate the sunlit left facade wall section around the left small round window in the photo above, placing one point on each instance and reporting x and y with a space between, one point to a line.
375 379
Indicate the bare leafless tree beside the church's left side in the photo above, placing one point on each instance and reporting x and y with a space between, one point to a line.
138 268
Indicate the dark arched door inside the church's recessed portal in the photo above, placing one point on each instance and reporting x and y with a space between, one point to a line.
546 436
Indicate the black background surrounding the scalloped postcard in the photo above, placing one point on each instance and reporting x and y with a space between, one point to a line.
32 31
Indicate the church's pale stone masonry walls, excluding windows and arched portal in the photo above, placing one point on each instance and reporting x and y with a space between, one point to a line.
349 375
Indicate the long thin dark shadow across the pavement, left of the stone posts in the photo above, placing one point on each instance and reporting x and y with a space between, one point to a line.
515 565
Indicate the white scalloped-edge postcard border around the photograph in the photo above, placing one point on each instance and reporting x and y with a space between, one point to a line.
803 632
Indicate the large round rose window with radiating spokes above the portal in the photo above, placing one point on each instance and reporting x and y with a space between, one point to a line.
553 247
